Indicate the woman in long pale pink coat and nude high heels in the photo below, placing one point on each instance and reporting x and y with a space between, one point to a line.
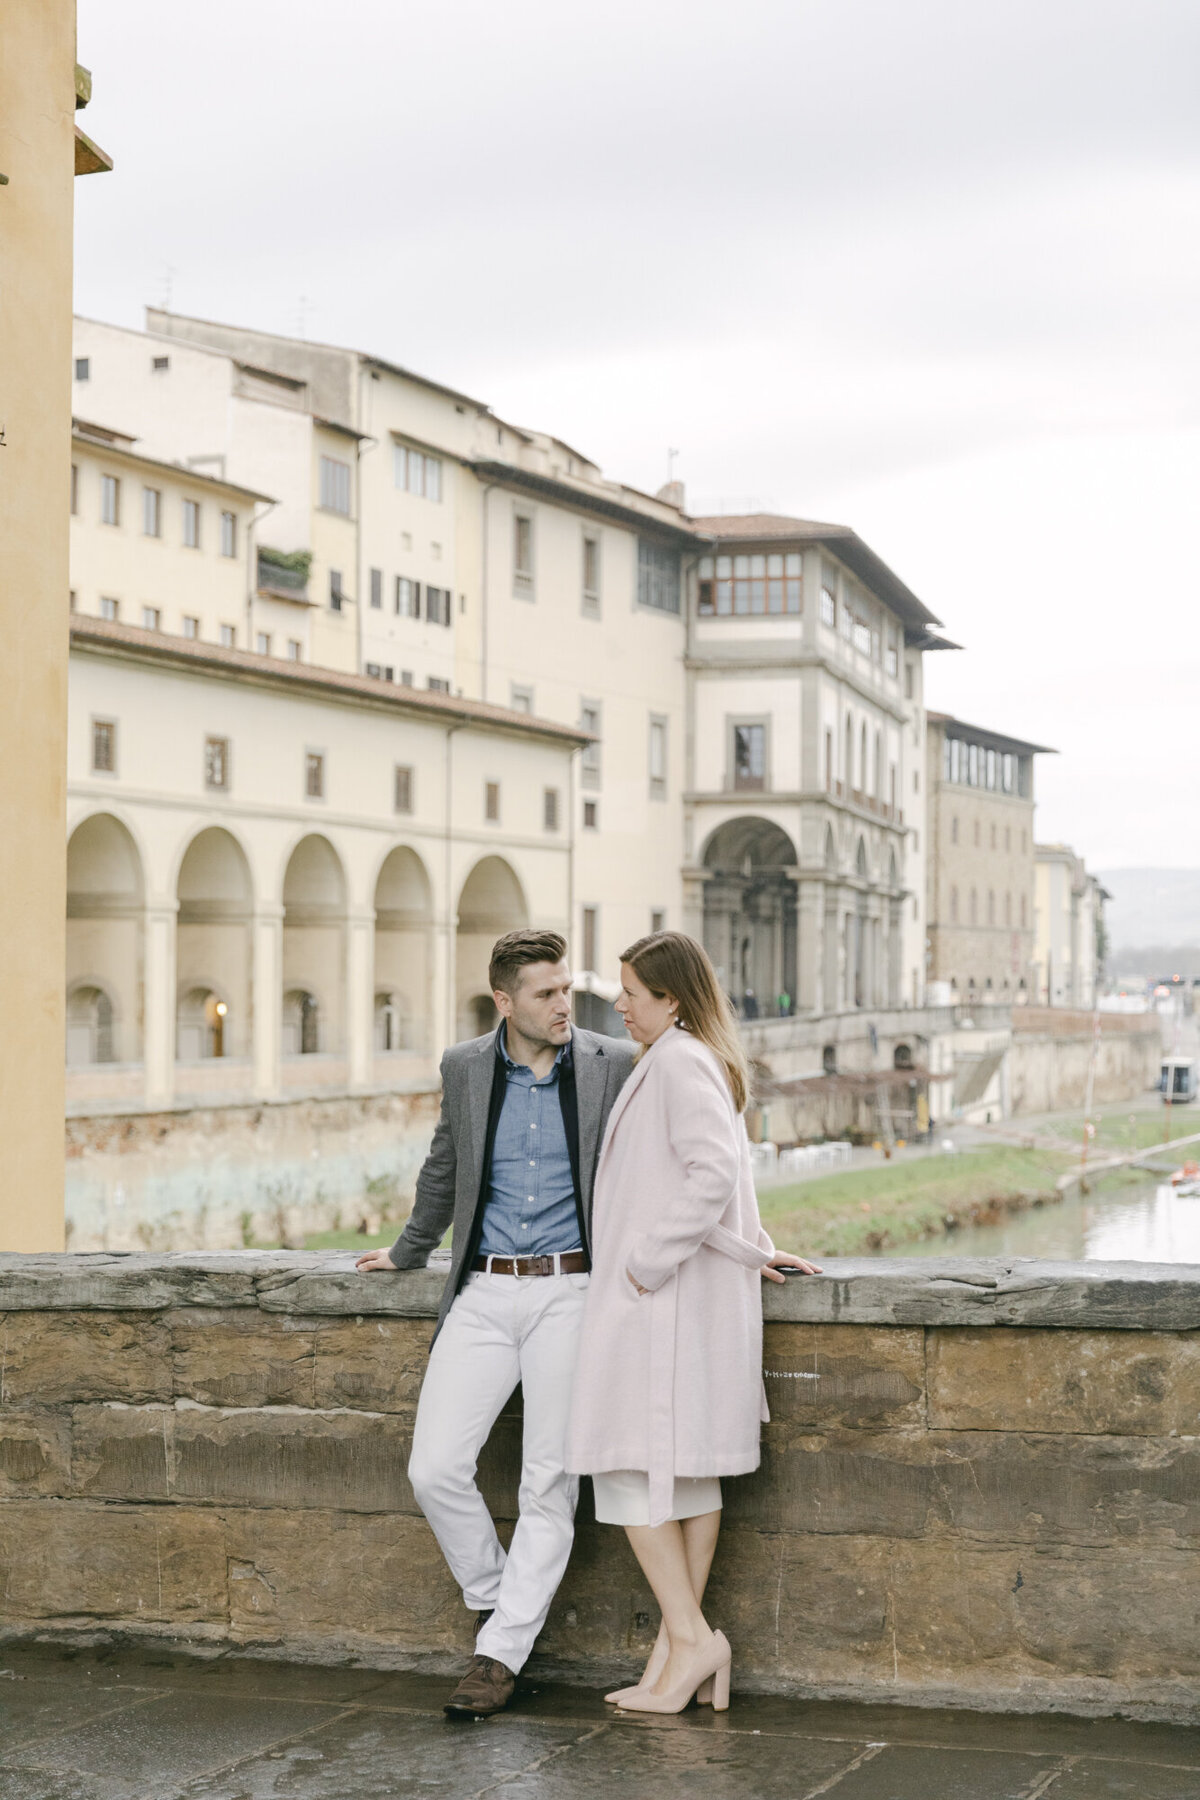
670 1380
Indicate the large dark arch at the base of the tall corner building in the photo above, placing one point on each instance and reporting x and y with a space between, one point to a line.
749 913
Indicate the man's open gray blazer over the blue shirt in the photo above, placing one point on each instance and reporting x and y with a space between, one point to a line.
451 1187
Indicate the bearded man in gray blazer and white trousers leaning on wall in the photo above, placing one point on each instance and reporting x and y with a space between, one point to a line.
512 1164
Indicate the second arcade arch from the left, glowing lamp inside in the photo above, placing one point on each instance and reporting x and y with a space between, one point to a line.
213 948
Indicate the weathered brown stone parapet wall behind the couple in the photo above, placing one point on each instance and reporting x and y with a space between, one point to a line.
981 1482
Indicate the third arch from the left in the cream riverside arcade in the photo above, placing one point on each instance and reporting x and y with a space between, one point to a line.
314 949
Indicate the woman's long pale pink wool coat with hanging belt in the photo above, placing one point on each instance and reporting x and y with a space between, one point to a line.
672 1381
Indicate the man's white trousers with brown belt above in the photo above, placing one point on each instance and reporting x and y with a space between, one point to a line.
501 1331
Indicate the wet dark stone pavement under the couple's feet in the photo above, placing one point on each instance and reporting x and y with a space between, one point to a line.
156 1725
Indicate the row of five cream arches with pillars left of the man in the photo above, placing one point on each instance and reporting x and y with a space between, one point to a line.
276 966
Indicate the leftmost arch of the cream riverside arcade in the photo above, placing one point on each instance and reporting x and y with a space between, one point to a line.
105 901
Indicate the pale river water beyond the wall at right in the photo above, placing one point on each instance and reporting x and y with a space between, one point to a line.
1124 1219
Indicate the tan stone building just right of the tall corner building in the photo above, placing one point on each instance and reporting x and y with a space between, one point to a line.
981 863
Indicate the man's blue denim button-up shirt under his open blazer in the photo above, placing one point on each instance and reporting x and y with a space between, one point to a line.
532 1194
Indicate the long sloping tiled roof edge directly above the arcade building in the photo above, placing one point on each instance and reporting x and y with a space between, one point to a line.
188 656
